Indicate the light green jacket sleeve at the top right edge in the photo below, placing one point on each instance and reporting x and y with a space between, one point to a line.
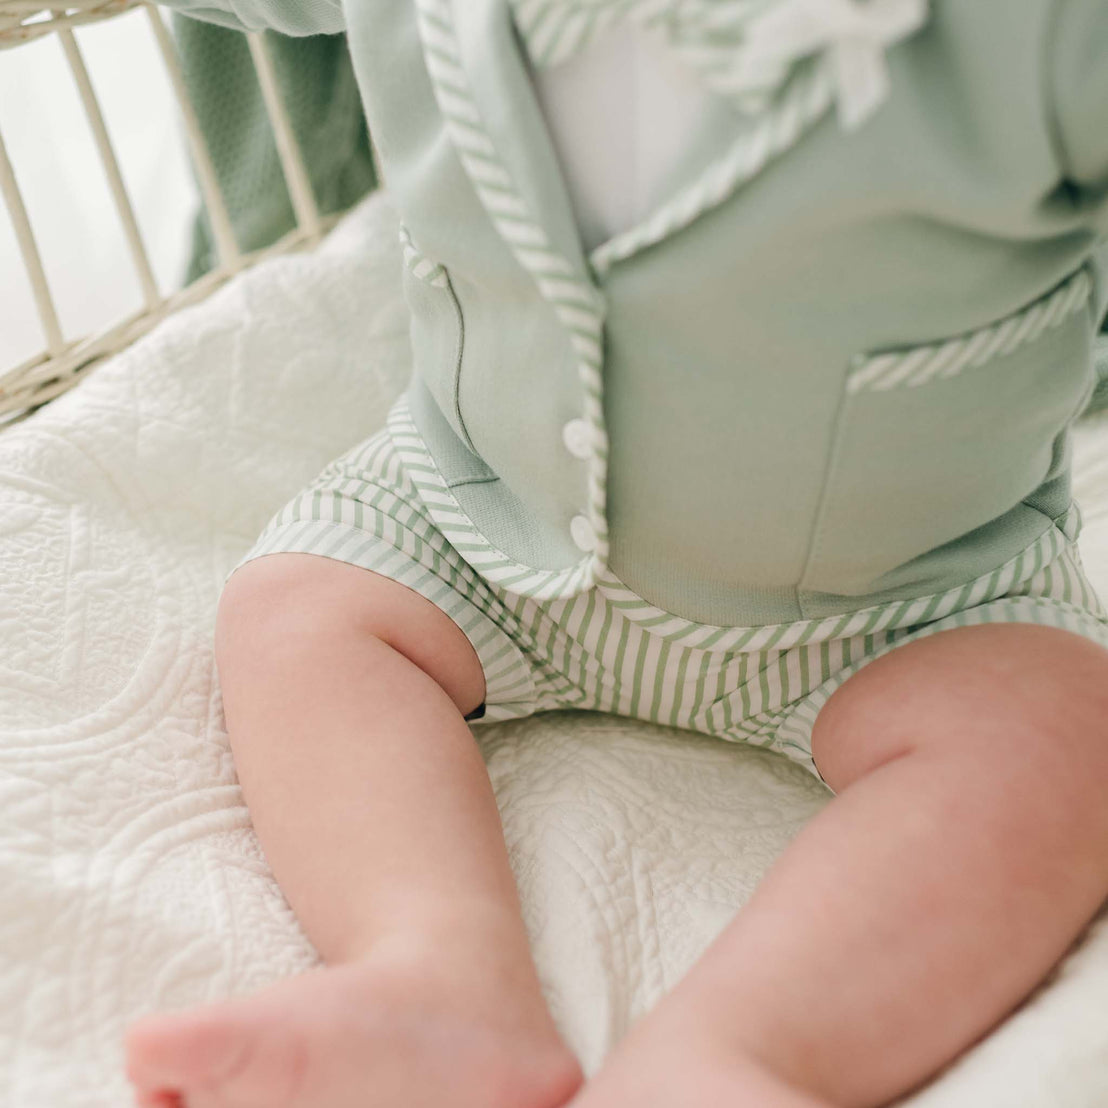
1079 88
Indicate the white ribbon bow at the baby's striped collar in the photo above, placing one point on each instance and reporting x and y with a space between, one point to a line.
853 35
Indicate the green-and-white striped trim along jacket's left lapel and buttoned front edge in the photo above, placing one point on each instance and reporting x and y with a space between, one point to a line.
578 304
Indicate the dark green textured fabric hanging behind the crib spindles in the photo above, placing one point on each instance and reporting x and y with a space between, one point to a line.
323 102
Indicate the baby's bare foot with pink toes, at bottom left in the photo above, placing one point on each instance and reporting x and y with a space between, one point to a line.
366 1035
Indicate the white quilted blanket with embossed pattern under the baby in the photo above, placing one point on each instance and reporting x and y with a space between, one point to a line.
130 879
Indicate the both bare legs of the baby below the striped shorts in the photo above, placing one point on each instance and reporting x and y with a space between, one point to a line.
918 909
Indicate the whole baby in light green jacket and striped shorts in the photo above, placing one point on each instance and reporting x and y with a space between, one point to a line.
747 336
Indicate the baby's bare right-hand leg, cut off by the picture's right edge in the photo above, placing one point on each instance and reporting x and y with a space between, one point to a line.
966 851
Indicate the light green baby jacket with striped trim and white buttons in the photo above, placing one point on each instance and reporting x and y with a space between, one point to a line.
838 372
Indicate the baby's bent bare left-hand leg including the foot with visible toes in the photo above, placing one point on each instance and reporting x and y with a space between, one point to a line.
345 696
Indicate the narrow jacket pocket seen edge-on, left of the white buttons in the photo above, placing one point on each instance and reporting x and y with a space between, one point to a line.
437 330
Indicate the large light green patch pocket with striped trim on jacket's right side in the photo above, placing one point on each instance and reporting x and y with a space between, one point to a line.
933 442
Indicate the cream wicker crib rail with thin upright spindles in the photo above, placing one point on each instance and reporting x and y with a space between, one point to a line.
66 360
